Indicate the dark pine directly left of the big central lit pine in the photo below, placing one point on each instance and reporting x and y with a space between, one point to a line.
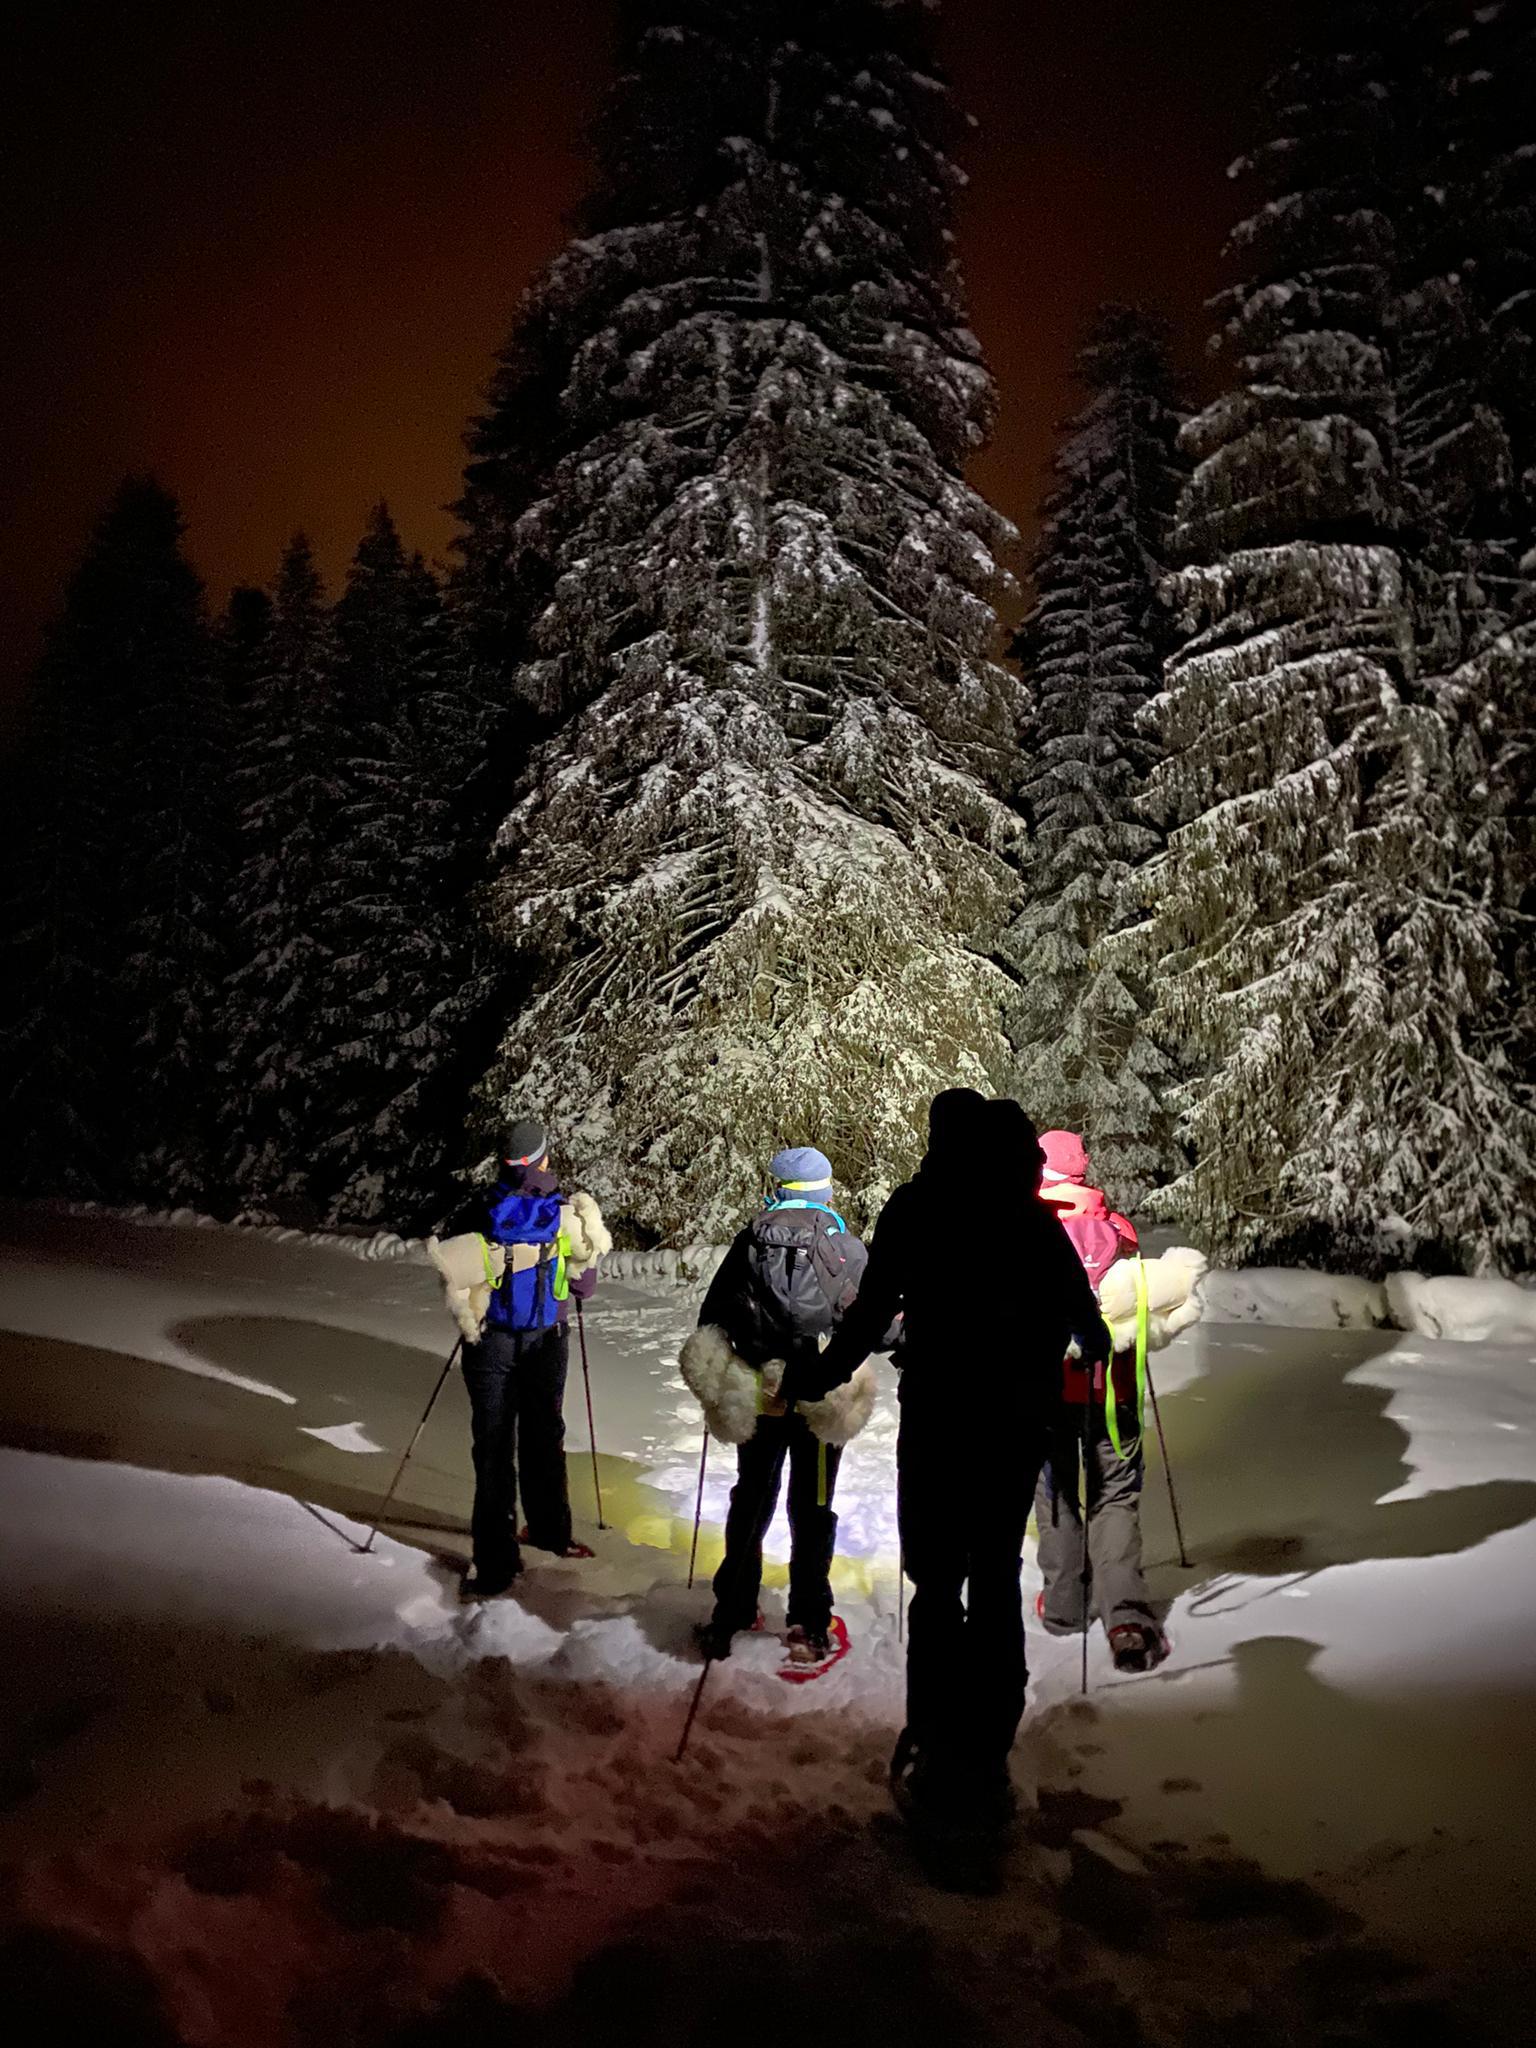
392 912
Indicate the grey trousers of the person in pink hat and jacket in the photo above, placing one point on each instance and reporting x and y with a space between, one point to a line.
1117 1586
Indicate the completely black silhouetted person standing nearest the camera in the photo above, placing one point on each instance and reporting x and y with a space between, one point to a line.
992 1293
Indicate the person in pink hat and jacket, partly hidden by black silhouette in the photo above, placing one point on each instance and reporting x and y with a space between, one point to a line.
1117 1590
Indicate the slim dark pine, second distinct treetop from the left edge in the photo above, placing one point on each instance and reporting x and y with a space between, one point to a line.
290 792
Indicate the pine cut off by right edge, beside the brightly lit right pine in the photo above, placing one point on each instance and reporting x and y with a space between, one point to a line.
1467 404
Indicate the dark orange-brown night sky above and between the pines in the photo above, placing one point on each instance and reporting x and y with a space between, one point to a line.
267 251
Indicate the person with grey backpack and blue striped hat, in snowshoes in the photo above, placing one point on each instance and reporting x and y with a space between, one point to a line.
775 1302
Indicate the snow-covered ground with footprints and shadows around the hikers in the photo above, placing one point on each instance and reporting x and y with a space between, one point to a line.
261 1789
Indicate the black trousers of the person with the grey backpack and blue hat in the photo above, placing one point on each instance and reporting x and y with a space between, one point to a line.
812 1525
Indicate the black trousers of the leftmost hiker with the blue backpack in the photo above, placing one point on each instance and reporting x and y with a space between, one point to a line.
517 1404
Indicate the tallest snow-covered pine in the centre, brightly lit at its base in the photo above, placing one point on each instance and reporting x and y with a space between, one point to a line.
753 873
